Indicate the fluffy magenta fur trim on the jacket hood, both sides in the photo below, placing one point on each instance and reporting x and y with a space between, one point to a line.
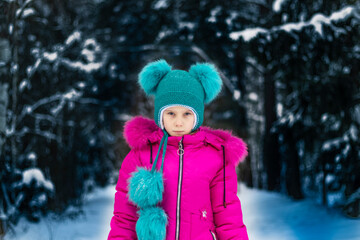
139 131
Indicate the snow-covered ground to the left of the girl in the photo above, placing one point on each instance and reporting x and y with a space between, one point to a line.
94 224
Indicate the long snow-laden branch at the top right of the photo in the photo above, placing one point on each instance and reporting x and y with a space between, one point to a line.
317 21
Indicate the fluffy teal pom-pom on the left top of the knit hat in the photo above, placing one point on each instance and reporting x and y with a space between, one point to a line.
152 74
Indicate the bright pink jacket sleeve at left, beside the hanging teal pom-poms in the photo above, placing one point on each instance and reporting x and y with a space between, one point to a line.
125 216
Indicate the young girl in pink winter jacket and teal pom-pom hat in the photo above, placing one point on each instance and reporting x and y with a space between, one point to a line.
179 180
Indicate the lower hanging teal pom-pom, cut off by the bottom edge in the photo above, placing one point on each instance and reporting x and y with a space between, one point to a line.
151 224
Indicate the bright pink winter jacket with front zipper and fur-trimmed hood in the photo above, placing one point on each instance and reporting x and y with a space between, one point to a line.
204 183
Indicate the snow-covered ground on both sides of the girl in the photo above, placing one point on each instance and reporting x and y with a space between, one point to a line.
267 216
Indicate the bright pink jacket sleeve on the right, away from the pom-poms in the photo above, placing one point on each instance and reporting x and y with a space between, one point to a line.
228 220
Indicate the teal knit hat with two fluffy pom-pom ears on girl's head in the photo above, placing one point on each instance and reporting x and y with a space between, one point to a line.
192 89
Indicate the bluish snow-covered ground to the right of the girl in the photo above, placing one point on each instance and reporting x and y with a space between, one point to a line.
270 216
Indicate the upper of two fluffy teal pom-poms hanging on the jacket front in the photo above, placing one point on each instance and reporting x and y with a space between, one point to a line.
146 187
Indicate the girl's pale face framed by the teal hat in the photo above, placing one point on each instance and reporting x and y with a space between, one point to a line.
178 120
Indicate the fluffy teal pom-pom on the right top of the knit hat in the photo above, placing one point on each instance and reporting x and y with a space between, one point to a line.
209 78
